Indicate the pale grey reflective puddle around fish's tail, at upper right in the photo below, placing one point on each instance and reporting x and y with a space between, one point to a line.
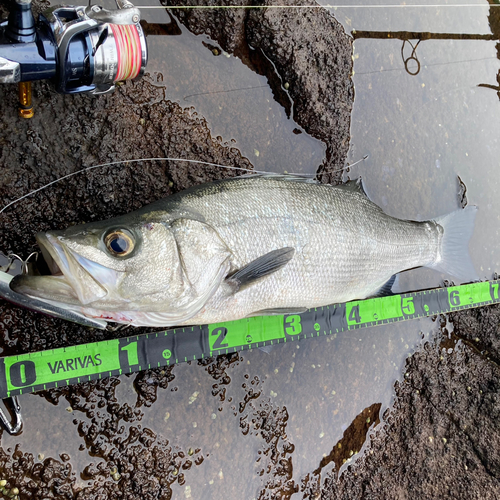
423 131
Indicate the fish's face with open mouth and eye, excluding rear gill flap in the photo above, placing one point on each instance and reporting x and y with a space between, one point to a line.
116 264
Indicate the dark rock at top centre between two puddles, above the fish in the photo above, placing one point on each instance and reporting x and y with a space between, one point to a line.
309 51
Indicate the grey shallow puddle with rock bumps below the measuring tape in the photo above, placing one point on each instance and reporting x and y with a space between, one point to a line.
241 418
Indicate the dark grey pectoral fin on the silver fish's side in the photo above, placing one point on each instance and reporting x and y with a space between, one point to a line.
260 268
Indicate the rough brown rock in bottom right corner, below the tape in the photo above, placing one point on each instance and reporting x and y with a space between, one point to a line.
441 438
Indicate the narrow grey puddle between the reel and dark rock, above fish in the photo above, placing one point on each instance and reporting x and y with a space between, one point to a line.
237 103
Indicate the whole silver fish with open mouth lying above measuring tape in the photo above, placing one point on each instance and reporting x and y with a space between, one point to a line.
247 246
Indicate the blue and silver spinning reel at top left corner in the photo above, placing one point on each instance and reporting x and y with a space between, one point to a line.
82 49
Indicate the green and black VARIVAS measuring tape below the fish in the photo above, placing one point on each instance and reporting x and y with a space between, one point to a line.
71 365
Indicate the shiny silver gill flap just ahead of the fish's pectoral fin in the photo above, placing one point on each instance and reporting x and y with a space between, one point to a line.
202 253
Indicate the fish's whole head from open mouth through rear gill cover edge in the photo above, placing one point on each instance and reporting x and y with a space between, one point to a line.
143 270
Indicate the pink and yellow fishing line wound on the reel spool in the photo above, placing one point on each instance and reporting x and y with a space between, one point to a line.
128 46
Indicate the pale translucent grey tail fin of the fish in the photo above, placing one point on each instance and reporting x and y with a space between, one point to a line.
455 260
